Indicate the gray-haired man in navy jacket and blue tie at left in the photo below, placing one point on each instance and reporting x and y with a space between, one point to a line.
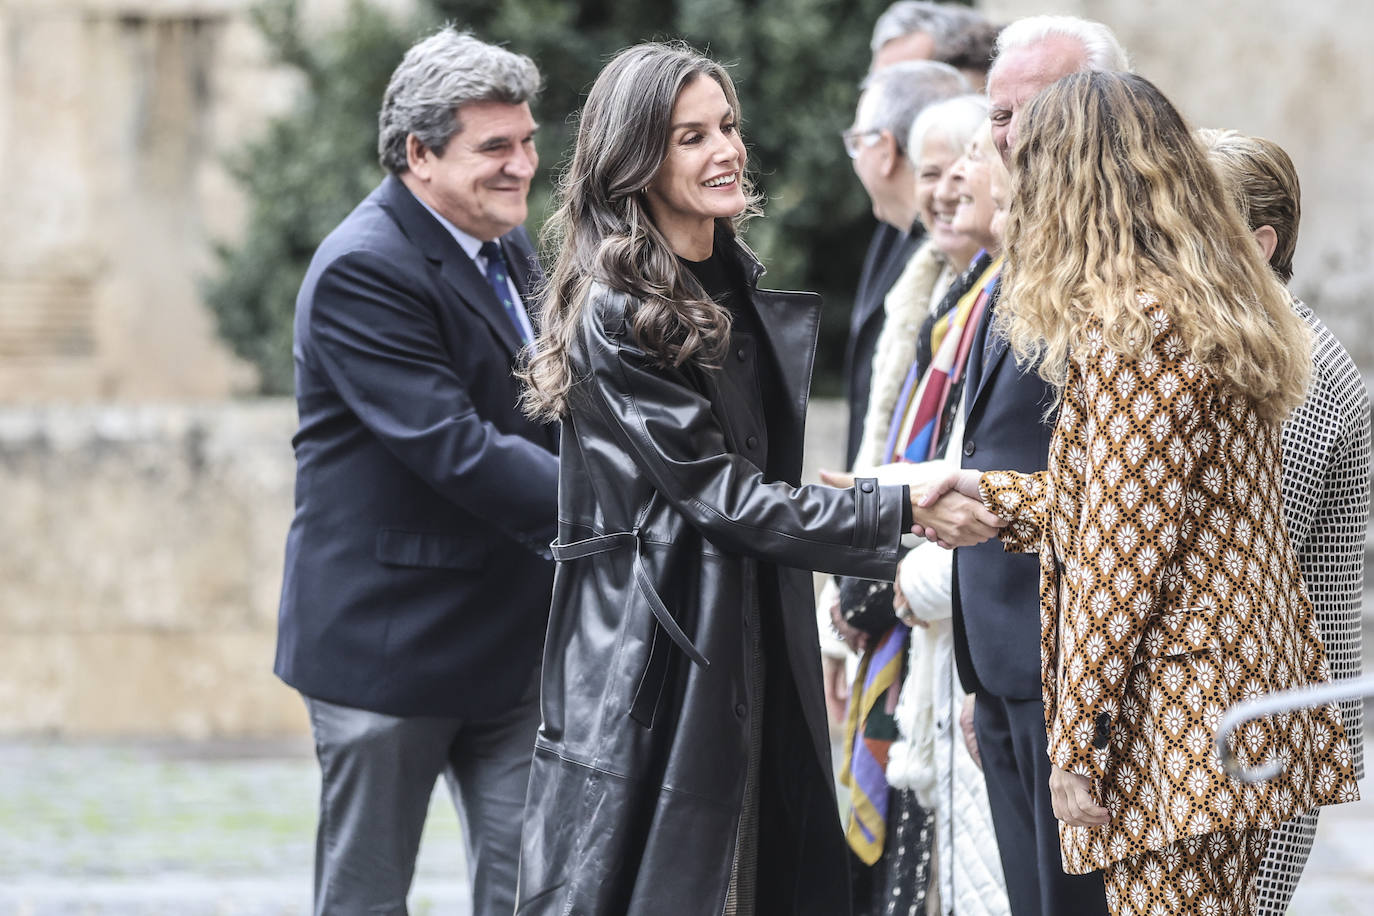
418 577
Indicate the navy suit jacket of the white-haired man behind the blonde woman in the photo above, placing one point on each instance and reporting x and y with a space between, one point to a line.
997 595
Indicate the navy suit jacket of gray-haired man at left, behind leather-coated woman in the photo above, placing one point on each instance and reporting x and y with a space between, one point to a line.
418 576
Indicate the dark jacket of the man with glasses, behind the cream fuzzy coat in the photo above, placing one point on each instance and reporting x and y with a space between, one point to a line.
888 255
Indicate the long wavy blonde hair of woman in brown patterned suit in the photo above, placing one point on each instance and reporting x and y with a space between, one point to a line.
1114 196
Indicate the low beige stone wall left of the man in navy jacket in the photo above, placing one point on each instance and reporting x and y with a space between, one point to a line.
141 573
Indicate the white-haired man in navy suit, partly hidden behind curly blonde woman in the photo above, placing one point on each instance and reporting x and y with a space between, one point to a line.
997 601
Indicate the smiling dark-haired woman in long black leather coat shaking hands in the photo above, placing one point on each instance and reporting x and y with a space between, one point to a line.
684 763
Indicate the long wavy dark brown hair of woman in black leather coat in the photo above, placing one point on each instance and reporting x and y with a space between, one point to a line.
602 230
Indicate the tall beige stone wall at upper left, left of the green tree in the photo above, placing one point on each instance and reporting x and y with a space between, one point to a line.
119 116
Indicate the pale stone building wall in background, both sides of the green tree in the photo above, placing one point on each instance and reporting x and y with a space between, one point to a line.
120 113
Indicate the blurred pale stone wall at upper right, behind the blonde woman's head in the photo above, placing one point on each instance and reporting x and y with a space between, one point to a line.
1291 71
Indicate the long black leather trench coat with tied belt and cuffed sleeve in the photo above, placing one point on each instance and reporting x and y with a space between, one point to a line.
667 538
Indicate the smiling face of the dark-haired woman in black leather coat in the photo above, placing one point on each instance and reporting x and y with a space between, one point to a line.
700 179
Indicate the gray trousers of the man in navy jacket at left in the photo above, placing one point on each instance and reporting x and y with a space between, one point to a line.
377 775
